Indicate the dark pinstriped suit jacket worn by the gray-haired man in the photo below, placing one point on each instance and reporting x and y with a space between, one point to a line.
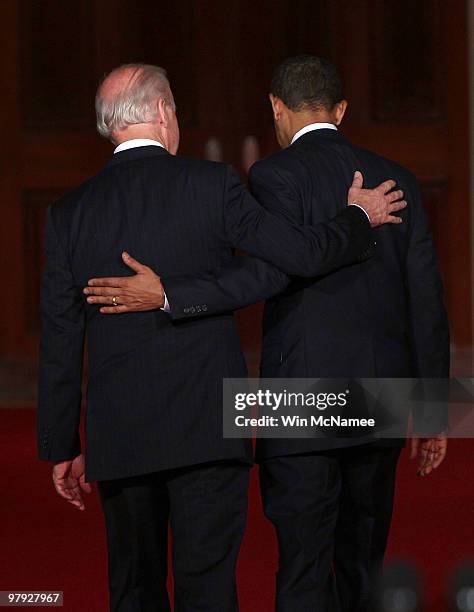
154 396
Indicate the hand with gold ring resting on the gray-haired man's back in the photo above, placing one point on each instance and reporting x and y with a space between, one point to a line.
137 293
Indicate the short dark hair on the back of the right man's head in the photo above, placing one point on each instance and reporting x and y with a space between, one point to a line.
307 83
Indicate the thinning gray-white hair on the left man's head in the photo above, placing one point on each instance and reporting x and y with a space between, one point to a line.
136 103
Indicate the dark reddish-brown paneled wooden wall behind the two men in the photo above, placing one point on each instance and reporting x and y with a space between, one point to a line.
404 63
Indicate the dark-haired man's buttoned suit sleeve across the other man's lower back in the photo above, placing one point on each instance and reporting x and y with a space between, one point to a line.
244 281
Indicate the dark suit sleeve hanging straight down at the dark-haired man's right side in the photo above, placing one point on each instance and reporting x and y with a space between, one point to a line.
429 324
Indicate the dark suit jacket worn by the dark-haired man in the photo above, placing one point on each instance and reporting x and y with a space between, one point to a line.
383 317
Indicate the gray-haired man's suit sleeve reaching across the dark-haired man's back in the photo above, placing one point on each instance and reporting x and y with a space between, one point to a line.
271 235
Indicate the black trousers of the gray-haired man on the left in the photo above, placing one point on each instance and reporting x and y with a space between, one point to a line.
206 506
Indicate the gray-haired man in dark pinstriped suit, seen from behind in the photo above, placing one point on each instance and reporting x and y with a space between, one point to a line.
154 406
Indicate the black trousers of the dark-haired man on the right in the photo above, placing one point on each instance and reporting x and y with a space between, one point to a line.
332 512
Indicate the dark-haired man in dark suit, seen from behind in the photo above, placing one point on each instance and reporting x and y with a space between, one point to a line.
330 500
